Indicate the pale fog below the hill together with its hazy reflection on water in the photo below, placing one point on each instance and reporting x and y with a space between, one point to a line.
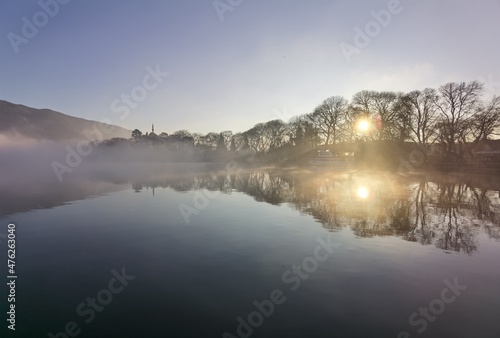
37 175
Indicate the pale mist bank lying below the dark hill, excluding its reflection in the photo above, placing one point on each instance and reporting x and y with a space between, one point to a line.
57 162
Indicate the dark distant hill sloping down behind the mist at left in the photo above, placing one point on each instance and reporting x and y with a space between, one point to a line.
45 124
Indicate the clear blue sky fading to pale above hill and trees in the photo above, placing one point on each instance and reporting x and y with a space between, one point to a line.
206 65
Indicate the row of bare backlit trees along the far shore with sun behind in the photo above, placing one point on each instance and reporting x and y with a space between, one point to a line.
452 116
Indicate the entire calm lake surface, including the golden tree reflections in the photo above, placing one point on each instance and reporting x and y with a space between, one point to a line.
362 255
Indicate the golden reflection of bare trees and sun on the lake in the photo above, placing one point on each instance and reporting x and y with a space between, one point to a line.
447 212
